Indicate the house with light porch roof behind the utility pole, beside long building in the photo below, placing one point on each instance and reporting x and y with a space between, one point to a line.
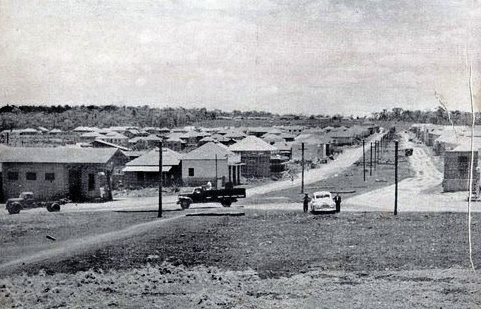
144 170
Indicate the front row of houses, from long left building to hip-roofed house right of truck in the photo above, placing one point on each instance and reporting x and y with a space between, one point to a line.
90 173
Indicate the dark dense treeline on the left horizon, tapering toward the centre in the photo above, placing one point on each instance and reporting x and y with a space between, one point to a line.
67 117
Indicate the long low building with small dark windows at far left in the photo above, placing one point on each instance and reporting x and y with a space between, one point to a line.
80 174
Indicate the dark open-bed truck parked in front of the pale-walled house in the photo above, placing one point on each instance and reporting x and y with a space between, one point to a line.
225 196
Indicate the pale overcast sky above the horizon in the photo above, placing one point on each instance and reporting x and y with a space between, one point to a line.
283 56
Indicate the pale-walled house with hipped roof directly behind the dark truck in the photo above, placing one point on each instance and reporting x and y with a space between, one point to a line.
211 161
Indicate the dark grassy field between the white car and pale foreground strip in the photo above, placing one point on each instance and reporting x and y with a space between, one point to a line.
284 243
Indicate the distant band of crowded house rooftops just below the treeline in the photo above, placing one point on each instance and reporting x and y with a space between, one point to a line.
178 139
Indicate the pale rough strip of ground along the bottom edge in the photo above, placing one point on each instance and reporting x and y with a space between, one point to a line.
166 286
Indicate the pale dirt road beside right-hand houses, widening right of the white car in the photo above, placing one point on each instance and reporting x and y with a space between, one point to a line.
422 192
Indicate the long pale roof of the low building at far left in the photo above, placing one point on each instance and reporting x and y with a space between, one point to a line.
57 155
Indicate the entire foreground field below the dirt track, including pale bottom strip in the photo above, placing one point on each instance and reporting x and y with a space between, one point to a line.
268 259
